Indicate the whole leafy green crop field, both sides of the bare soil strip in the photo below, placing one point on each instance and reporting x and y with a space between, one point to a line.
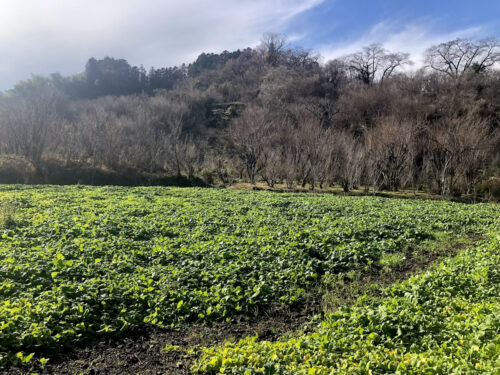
80 265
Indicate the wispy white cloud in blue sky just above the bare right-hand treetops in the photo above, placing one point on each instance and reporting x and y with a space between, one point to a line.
413 38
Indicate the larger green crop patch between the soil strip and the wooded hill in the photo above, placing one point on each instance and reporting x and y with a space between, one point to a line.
89 262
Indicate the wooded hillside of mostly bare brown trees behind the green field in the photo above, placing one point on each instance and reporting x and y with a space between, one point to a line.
272 114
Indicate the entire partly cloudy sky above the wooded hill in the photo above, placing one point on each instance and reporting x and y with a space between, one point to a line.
46 36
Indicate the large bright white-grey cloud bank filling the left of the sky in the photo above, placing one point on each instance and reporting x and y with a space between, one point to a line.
42 37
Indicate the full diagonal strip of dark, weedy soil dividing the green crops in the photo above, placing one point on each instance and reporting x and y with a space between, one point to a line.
143 351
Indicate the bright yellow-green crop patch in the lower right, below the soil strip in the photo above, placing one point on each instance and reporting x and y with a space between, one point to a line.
441 322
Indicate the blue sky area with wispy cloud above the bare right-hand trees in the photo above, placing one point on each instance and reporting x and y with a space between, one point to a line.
335 26
